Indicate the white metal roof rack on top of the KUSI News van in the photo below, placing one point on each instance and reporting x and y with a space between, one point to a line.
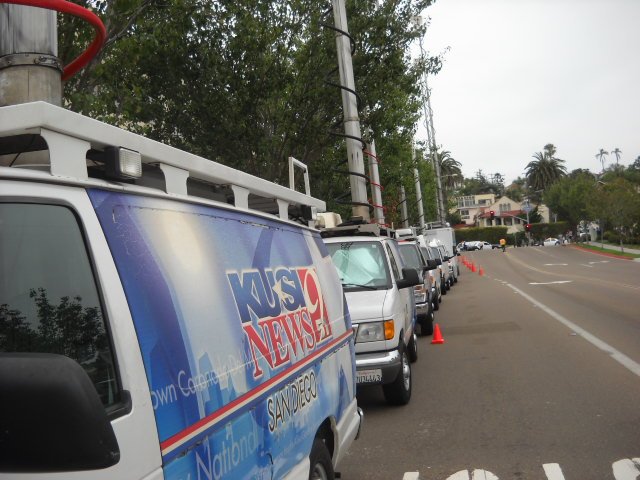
70 137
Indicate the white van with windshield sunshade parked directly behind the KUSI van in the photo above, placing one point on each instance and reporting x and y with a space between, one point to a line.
379 292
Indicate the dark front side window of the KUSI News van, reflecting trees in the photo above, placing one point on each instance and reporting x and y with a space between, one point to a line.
48 297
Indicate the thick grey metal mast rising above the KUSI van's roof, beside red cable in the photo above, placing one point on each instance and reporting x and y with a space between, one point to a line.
29 66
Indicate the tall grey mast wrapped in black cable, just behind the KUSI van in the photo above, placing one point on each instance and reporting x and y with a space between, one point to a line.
350 108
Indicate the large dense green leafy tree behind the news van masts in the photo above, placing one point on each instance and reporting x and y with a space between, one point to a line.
248 83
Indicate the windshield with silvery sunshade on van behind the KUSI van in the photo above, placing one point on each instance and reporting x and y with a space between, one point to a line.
361 265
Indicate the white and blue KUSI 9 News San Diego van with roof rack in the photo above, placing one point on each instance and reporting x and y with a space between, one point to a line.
153 323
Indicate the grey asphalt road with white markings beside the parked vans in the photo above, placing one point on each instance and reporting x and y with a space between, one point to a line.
538 378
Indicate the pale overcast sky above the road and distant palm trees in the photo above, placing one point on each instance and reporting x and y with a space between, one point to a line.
523 73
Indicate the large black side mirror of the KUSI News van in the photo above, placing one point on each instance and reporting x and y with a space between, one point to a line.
52 418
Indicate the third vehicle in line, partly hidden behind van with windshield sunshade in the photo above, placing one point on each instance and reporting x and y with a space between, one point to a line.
423 292
